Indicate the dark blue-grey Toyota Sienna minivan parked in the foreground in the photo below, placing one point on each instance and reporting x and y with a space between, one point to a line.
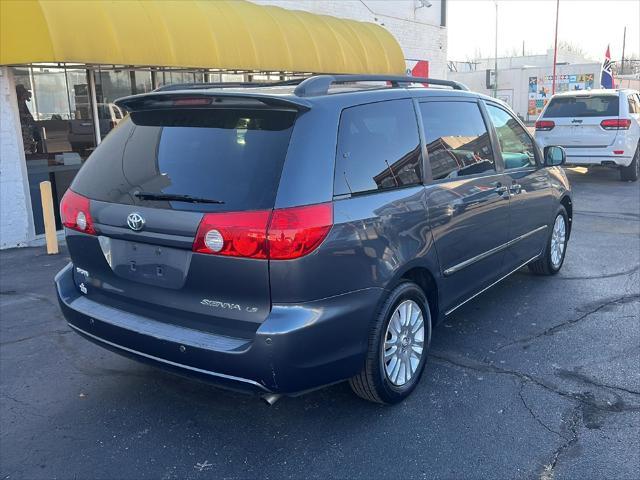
281 238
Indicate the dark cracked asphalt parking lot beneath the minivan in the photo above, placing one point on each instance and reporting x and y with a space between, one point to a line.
537 378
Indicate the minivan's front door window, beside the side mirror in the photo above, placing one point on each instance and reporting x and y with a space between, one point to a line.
516 145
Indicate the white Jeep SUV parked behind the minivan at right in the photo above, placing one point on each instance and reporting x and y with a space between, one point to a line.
596 127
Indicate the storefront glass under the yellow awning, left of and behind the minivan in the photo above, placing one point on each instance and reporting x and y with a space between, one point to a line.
57 120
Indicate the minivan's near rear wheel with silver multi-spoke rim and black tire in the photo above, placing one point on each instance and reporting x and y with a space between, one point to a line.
392 368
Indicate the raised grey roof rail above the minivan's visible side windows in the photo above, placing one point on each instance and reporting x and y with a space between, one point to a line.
320 84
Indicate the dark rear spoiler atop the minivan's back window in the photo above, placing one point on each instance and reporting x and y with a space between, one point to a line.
191 99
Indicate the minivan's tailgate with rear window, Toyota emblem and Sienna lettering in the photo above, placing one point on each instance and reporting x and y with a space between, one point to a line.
151 182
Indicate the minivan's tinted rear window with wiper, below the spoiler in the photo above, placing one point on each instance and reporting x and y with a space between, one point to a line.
232 156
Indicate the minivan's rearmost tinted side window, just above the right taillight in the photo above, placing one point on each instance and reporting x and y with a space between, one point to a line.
378 148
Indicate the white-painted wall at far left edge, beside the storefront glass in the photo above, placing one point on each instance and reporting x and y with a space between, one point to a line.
16 219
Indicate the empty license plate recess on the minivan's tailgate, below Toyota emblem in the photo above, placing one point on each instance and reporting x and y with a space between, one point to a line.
145 263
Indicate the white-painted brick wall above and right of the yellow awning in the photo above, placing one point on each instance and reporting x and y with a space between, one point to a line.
417 29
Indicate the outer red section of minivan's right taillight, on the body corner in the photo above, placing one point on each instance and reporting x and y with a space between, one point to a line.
295 232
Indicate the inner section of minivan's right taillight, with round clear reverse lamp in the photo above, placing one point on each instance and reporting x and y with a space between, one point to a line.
242 234
